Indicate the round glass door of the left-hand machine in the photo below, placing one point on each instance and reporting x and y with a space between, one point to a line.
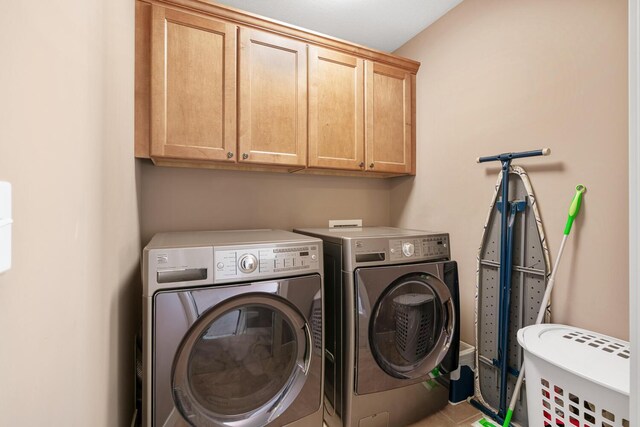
242 363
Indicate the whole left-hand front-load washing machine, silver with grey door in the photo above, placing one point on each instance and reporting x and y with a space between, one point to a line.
232 329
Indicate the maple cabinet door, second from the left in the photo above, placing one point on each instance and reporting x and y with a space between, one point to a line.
273 99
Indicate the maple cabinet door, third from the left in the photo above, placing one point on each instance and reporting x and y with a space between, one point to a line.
336 110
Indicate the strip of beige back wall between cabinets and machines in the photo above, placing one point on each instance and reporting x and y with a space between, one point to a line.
174 199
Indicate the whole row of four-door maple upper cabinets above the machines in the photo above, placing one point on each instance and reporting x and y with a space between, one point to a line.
218 87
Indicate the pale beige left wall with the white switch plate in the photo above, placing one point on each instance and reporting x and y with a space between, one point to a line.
68 306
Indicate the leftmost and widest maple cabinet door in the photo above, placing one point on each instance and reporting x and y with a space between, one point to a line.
193 87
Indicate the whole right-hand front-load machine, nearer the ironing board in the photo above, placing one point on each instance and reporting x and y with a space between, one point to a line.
392 324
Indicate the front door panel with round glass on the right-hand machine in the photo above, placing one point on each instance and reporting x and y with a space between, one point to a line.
405 325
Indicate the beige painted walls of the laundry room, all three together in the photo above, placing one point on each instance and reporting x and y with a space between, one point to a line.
496 76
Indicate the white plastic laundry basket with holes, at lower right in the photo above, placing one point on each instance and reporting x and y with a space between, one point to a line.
575 377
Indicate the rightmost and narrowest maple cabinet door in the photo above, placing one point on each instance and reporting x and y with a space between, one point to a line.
388 117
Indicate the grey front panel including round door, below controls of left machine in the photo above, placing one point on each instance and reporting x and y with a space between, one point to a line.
237 355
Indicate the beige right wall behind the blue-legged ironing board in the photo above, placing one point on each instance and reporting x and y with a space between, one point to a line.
502 76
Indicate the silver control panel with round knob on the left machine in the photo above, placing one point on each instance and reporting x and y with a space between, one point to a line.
256 261
